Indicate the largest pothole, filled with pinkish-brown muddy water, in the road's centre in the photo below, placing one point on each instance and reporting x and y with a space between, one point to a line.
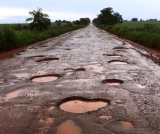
82 105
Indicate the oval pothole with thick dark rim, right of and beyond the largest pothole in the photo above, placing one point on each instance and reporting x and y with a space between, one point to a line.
112 82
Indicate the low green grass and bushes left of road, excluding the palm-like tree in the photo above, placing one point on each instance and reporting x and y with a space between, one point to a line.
11 38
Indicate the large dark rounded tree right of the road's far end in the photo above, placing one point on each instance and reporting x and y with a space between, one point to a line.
108 17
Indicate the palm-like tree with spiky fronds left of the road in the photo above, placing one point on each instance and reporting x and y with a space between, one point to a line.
40 21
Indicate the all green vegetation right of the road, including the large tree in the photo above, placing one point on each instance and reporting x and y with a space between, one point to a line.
146 33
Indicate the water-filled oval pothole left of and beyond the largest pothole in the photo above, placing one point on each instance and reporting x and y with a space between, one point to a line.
45 78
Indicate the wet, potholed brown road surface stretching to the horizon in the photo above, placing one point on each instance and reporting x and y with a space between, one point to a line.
83 82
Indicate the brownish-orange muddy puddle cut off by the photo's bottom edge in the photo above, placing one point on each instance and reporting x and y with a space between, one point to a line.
68 127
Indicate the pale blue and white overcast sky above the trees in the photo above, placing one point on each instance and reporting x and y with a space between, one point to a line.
16 11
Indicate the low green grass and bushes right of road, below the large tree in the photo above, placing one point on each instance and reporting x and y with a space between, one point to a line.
146 37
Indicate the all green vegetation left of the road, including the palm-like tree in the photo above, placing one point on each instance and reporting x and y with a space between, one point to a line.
20 35
